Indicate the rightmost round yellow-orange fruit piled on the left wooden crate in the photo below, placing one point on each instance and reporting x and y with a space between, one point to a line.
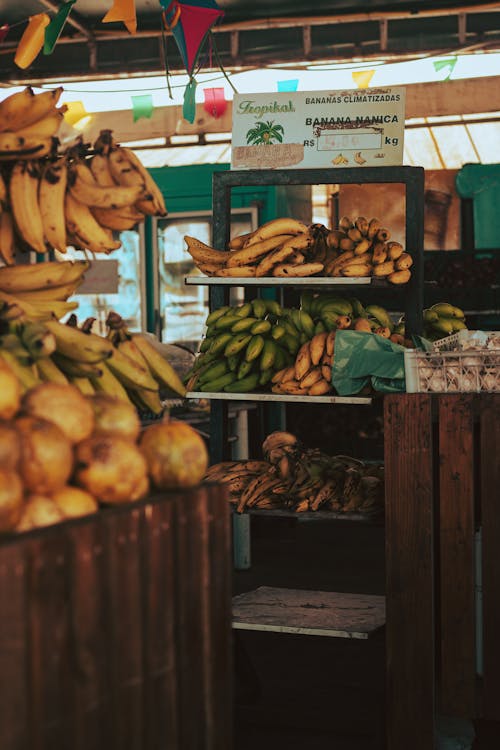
176 454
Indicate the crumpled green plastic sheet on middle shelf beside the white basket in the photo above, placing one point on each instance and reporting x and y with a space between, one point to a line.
366 358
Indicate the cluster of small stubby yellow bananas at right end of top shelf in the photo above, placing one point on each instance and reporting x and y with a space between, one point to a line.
360 248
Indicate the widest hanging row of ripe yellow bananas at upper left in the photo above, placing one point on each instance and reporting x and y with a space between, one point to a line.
77 198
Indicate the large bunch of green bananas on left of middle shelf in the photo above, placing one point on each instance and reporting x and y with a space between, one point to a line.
243 347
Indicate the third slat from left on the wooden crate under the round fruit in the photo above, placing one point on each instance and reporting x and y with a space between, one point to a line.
92 637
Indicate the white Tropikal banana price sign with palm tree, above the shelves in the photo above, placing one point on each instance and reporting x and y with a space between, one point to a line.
352 128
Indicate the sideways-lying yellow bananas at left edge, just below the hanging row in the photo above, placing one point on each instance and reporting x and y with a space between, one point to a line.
39 291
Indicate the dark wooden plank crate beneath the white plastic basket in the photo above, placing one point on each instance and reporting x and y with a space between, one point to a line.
442 486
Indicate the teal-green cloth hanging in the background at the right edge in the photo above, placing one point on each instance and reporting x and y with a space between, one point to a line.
481 183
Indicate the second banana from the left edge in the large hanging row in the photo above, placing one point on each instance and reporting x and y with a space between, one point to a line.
24 202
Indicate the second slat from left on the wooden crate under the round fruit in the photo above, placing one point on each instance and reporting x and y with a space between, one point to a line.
49 627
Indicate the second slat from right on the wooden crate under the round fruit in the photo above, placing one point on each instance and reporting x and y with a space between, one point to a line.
192 576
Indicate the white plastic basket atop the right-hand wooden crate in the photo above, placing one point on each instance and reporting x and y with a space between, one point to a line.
452 371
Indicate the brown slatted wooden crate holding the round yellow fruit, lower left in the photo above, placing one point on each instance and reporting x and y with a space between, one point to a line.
115 630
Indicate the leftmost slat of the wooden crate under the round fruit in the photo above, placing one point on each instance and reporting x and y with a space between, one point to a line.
13 649
